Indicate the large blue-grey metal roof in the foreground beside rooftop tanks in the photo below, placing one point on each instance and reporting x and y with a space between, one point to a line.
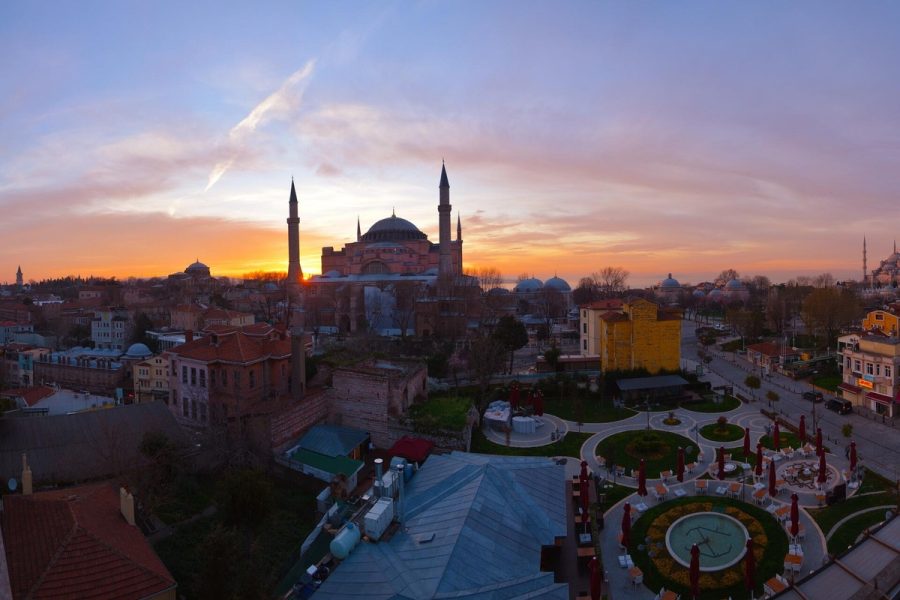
489 517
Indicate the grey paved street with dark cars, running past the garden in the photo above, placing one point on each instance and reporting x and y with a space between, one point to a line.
878 444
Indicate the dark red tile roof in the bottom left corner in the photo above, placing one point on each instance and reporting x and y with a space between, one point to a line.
74 543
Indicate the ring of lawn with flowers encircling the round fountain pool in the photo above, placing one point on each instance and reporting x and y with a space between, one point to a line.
768 536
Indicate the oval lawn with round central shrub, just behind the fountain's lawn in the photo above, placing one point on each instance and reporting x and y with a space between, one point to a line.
658 448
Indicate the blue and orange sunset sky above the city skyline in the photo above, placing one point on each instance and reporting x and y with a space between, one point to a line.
660 137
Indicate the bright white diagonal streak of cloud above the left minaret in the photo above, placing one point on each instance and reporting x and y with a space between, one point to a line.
280 103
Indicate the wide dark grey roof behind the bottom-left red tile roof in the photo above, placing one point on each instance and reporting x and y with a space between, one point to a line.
88 445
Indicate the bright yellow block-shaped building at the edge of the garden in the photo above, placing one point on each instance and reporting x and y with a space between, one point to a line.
640 336
